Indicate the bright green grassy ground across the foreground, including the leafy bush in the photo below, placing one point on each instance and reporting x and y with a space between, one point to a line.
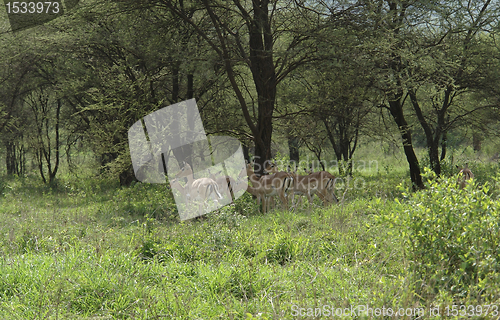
89 249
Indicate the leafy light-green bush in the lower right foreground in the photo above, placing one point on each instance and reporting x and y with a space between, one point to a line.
454 238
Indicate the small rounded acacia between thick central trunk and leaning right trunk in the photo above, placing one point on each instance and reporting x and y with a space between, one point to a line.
332 104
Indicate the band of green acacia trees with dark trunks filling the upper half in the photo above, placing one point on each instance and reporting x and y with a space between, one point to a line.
320 75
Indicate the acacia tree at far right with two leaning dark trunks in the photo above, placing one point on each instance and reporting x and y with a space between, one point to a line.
425 55
